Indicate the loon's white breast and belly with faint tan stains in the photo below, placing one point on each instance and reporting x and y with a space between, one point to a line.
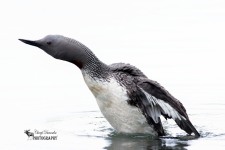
112 101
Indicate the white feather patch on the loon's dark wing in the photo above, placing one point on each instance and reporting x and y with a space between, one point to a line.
158 106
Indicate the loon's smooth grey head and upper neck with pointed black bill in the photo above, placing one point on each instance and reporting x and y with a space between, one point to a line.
63 48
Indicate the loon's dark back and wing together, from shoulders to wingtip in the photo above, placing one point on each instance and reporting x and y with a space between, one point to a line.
152 99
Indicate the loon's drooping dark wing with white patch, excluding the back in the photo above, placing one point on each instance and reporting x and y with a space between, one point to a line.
163 103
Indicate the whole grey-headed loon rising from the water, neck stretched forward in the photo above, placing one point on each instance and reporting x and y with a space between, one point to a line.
129 101
